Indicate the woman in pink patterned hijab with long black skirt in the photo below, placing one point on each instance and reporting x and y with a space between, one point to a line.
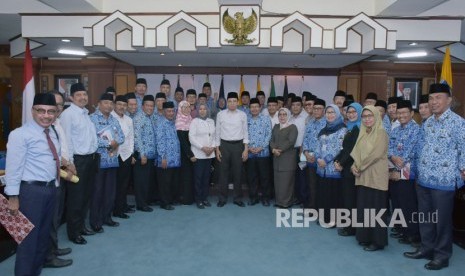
185 193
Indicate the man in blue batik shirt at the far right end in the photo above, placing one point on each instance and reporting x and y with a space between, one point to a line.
441 170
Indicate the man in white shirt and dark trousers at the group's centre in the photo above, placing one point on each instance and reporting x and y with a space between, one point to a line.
232 137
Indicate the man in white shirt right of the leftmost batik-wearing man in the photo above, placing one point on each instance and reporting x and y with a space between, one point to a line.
125 158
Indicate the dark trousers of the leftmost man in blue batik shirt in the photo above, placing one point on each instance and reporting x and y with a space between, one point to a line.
103 198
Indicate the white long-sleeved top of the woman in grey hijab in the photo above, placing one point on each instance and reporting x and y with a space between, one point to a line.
202 134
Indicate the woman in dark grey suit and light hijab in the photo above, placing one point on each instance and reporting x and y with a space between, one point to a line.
282 142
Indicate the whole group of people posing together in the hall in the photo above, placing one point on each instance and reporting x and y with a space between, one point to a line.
298 151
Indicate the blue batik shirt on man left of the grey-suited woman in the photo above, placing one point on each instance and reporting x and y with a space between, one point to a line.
259 135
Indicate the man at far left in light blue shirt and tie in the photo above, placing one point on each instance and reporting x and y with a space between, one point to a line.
32 168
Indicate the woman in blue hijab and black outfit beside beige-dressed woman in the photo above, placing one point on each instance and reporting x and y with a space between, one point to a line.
343 162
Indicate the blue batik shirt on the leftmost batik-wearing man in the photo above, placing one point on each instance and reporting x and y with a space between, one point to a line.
108 129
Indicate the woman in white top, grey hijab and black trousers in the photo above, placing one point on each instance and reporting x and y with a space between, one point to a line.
201 137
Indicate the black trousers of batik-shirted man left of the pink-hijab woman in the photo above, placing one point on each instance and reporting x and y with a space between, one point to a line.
168 181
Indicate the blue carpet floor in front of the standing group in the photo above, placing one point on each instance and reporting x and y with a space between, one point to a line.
230 241
